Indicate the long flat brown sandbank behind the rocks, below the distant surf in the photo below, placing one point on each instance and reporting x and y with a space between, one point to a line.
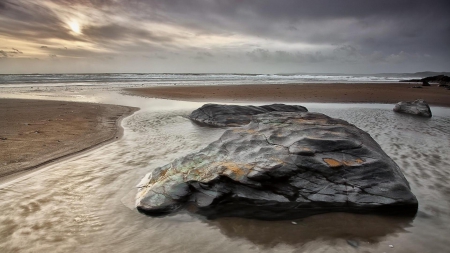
307 92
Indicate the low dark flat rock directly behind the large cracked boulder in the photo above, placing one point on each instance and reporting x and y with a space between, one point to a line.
236 115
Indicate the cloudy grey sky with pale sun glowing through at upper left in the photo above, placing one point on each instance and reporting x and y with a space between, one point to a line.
224 36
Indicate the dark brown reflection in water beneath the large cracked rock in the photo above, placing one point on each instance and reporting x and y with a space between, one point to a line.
367 228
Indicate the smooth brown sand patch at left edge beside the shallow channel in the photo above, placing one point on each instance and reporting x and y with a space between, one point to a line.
36 132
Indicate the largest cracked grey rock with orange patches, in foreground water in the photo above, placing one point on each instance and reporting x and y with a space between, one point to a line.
282 165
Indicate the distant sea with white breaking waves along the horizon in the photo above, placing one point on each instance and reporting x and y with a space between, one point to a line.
145 79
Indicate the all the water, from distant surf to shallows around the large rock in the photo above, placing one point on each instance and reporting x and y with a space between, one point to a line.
86 203
